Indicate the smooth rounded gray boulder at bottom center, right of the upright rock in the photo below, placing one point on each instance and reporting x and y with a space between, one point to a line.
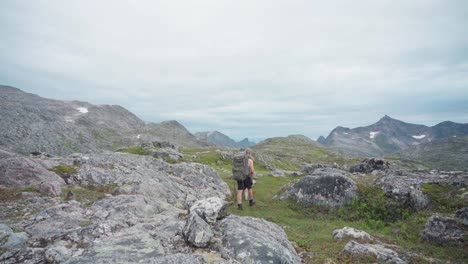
253 240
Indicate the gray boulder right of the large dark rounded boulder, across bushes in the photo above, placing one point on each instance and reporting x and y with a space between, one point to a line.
405 189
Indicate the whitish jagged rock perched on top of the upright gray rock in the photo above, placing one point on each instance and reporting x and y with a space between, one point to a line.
210 209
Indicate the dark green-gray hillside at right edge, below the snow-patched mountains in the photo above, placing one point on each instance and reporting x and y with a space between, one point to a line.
444 154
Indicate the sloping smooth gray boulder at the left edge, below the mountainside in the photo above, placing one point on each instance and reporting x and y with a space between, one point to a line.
19 172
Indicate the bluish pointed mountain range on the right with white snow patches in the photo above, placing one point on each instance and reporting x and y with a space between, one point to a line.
389 135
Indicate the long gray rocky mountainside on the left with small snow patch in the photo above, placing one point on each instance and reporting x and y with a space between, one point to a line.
31 123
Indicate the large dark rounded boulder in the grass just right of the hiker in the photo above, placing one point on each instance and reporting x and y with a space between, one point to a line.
325 187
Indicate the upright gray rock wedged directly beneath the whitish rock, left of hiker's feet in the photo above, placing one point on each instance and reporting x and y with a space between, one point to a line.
197 232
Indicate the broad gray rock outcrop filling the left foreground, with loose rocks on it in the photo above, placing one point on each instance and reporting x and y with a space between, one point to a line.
124 208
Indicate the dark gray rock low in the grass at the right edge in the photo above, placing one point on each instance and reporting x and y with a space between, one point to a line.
441 230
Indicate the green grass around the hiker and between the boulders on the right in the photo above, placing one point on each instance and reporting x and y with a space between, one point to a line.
311 229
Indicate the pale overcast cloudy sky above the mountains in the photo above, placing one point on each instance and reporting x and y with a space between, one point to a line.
252 69
